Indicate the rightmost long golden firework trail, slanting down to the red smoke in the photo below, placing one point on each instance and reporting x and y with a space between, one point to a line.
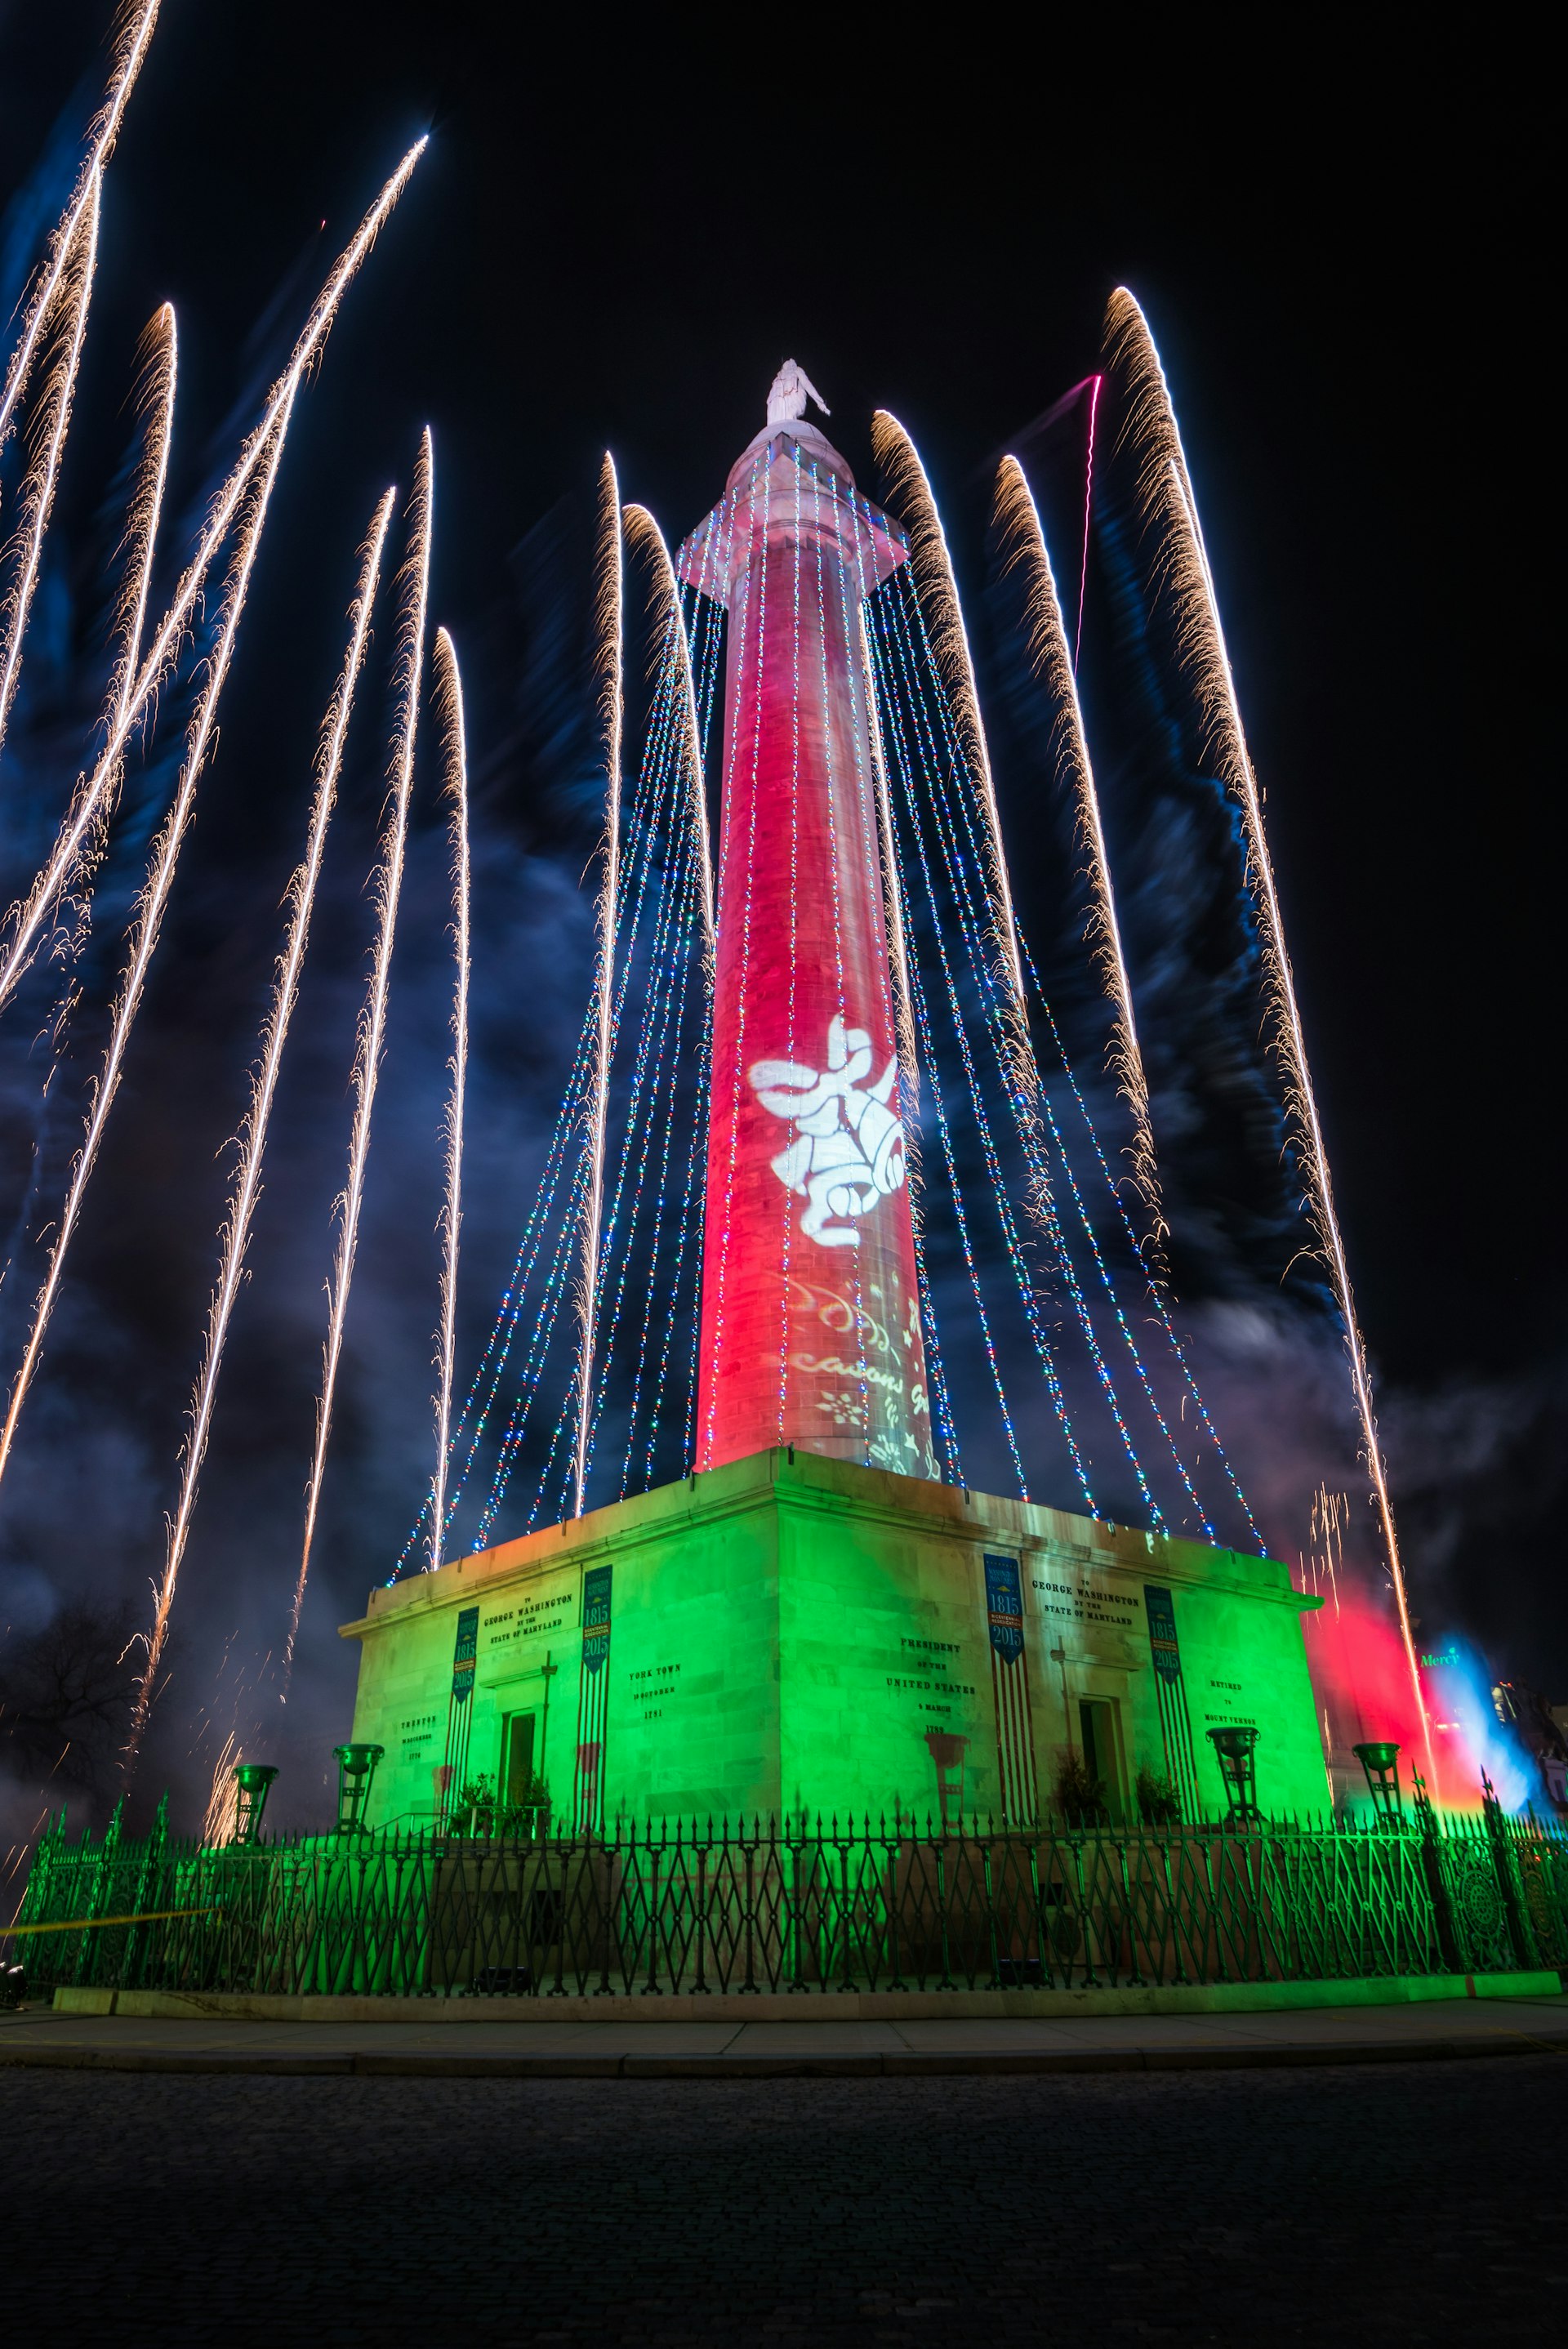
1170 506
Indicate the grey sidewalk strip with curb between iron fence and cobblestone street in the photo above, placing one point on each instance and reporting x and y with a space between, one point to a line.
874 2066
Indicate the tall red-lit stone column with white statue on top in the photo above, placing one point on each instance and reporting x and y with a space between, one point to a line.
811 1312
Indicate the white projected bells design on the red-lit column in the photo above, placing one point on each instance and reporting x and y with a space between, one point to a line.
849 1147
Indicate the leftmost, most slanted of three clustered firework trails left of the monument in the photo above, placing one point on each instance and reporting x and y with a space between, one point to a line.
236 1230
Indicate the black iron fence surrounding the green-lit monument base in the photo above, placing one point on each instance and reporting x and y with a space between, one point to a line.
788 1909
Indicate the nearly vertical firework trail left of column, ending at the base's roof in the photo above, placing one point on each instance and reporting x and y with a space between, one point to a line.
611 642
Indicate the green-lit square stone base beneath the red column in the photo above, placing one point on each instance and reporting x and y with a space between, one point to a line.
802 1636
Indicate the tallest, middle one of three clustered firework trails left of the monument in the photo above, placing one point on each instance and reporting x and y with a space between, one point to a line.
374 1014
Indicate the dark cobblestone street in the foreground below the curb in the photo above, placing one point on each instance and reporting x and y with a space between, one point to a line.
1370 2205
